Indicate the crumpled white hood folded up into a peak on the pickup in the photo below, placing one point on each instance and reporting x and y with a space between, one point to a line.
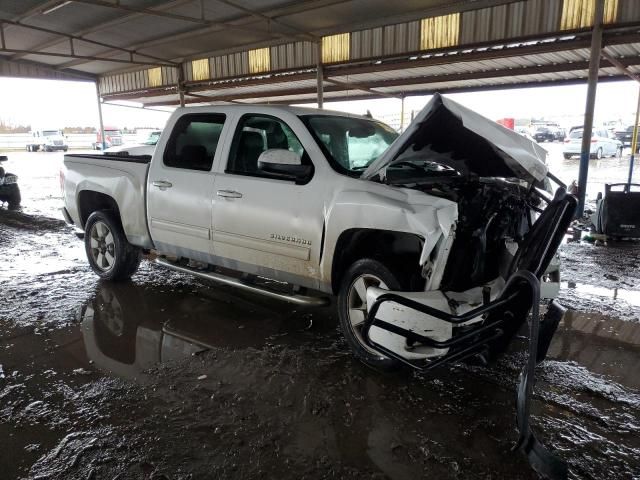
448 133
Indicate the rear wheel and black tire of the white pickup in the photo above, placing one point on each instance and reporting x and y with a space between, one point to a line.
112 258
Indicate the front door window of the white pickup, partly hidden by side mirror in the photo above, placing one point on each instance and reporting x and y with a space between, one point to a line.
254 135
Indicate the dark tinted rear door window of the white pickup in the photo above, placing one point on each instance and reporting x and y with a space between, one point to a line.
193 142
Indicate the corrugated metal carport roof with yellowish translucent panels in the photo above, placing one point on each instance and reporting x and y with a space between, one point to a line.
219 51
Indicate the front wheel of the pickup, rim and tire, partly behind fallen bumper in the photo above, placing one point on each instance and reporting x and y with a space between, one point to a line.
352 307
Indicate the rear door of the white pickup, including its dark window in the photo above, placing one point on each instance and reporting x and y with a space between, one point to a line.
180 187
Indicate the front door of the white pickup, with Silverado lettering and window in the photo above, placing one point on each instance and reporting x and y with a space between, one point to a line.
271 225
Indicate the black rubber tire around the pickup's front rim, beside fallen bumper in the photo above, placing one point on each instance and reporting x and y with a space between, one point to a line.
365 267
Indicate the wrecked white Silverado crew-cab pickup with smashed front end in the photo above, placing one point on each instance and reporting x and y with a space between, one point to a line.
326 202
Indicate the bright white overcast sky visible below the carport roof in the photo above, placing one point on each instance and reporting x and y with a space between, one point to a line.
56 104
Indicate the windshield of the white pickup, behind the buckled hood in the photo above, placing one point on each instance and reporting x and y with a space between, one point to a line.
351 144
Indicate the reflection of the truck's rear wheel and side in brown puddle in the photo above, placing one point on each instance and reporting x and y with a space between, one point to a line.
128 328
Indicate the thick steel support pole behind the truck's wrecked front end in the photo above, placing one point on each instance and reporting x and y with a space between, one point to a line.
594 66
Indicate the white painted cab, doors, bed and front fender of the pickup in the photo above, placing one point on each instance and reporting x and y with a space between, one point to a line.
263 224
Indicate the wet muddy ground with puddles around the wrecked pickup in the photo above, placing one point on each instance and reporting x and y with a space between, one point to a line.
167 377
